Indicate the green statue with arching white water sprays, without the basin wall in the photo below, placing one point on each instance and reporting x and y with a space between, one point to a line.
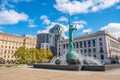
71 57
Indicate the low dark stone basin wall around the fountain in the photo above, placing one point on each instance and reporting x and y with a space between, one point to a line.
78 67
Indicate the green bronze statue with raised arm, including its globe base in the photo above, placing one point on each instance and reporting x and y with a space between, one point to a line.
71 56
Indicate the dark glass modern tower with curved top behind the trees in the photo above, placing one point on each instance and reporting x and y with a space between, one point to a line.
49 40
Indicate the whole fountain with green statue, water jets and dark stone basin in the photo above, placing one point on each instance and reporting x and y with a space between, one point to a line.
73 61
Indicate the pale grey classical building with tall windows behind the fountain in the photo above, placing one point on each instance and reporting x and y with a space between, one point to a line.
99 45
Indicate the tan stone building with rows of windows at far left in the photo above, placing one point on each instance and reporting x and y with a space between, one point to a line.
10 43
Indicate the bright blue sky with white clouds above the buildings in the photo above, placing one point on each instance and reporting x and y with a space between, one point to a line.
21 17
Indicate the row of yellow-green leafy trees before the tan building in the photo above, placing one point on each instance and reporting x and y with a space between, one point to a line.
29 56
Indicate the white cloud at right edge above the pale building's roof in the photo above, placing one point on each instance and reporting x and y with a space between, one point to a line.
113 29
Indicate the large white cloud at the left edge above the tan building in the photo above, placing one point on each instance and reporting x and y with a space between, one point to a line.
12 17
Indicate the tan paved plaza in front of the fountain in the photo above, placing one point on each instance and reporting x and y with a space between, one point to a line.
45 74
